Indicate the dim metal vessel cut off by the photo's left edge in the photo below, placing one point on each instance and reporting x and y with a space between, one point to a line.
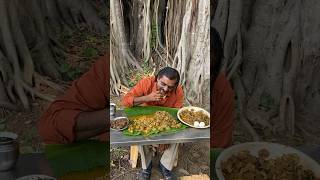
9 150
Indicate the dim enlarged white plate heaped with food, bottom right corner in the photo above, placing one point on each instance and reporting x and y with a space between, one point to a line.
264 160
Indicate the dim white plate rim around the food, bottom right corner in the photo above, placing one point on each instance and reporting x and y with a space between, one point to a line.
275 150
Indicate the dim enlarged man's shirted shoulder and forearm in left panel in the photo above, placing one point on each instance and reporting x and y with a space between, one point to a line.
80 113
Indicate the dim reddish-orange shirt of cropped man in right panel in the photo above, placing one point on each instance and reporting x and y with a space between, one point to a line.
222 113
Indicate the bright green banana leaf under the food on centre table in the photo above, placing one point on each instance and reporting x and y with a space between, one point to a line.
147 110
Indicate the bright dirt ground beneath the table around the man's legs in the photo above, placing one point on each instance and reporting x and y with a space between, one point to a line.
193 158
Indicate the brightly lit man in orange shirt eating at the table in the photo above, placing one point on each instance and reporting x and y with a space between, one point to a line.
160 90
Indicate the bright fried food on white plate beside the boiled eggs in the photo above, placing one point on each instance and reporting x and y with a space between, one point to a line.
191 116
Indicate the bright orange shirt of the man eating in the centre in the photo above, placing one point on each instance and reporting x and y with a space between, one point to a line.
148 85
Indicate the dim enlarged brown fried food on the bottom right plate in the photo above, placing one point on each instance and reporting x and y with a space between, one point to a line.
246 166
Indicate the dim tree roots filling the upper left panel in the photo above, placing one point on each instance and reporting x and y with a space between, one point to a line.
28 47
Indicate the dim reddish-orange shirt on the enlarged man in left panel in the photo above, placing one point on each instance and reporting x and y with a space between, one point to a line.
88 93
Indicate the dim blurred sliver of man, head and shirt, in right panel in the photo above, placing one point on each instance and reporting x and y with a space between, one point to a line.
222 97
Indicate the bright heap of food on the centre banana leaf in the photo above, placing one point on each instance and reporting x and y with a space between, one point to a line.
158 122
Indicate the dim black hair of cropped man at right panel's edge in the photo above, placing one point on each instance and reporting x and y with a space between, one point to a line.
216 54
